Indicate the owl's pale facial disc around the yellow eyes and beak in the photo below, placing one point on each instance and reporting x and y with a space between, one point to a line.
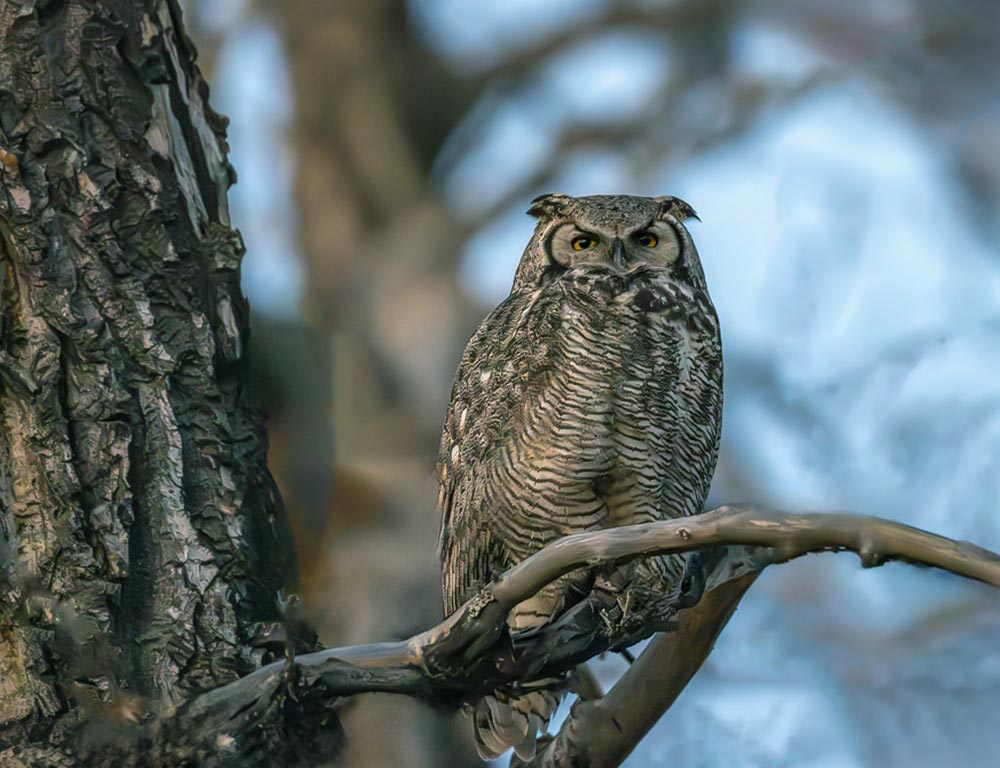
656 243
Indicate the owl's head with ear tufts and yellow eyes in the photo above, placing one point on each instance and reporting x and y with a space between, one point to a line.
616 230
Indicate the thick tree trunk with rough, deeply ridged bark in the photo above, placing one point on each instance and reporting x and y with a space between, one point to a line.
142 543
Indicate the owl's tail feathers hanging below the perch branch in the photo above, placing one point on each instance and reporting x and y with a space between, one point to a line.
501 722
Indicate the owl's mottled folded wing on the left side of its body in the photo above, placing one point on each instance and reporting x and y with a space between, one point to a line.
504 360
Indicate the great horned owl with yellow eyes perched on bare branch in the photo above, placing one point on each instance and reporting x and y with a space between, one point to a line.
590 398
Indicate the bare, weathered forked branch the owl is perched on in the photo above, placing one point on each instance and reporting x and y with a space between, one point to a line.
469 652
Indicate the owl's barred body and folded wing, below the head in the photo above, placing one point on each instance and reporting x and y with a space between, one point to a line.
593 400
